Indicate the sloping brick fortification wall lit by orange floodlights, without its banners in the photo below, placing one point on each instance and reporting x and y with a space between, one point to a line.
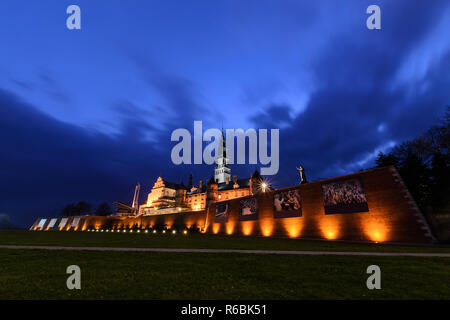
391 214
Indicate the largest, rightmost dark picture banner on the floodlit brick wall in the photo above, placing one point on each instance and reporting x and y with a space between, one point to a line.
345 196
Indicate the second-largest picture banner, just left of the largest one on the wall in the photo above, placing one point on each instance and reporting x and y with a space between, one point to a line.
287 204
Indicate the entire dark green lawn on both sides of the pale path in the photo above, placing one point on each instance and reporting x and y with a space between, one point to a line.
40 274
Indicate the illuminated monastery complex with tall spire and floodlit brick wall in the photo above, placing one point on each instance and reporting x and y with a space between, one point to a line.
372 205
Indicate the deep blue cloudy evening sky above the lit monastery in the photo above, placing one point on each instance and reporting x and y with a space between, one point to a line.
86 114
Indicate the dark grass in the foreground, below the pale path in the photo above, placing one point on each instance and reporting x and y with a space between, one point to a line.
41 274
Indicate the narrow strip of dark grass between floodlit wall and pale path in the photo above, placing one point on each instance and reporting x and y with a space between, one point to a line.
198 241
